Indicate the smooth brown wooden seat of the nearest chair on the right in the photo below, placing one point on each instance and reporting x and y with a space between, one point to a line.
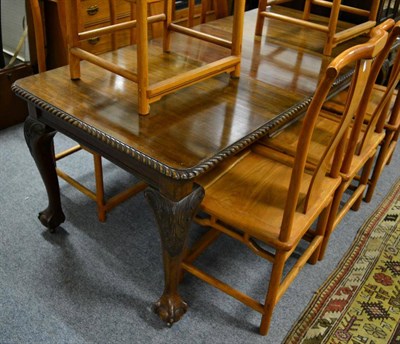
257 196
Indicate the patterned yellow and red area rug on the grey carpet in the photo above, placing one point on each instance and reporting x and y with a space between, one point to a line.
360 302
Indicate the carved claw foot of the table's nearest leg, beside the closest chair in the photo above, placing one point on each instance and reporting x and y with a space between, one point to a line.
170 309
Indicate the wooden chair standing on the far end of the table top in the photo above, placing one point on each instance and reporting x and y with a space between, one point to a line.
333 35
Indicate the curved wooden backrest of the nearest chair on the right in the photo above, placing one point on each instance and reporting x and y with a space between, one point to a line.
362 55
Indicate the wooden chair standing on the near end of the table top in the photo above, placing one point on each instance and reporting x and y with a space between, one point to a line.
148 93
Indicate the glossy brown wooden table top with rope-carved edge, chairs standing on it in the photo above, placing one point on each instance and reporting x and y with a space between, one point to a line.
187 130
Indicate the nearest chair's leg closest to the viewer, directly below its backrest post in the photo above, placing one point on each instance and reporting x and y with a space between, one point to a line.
273 290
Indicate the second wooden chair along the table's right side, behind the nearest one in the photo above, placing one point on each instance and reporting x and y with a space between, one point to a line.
359 147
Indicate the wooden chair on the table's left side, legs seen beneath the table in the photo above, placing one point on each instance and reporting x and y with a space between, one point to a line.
103 205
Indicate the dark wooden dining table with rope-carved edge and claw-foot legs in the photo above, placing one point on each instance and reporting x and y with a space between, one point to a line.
187 133
